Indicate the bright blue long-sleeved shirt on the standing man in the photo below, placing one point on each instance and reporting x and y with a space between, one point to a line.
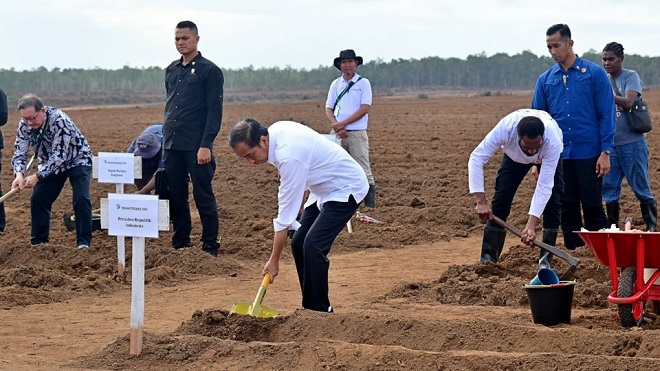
580 99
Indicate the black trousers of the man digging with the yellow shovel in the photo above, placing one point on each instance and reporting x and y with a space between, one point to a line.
310 246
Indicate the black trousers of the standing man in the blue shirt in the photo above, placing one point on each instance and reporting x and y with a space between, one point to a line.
582 188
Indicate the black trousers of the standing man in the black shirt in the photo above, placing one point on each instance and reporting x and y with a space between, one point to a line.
181 166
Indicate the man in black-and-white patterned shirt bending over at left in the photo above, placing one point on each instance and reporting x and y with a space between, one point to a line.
63 153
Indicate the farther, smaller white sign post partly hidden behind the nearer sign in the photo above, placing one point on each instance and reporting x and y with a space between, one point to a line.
118 168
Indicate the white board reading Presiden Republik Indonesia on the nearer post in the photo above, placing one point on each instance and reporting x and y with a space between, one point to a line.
132 215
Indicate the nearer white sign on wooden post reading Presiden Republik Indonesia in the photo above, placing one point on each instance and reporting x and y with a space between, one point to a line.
138 216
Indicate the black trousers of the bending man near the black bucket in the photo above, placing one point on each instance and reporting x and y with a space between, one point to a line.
509 176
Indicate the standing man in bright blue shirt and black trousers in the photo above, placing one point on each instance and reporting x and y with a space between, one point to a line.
578 95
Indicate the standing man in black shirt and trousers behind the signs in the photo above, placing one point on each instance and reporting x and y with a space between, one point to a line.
193 115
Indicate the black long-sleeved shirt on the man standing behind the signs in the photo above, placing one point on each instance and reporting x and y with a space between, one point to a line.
193 110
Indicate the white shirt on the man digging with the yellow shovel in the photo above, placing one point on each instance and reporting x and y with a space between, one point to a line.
306 160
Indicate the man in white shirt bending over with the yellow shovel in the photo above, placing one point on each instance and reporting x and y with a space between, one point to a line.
306 161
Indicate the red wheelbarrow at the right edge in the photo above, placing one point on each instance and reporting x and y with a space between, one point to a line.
628 254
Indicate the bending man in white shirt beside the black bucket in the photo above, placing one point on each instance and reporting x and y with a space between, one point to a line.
528 137
